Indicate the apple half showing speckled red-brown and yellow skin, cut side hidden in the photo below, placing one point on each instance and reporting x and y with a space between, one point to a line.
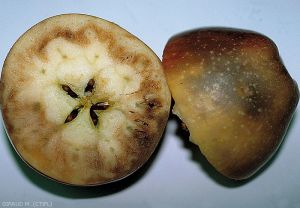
233 93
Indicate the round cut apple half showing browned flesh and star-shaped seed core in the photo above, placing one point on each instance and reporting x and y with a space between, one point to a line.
84 101
